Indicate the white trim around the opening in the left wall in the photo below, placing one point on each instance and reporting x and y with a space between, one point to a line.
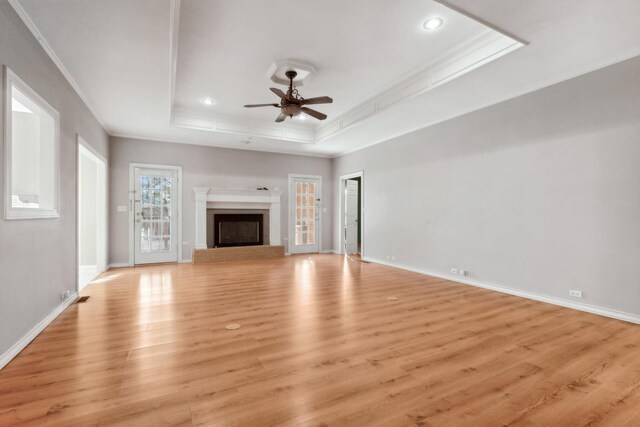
12 79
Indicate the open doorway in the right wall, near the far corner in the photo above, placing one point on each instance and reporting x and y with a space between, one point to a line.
351 231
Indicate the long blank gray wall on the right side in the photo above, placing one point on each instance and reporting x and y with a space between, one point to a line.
540 193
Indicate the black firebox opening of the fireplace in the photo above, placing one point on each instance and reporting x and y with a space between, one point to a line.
237 229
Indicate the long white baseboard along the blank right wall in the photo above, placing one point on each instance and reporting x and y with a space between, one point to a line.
620 315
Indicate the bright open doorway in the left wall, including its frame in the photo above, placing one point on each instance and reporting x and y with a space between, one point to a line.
92 214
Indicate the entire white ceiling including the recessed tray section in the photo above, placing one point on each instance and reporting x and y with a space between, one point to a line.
144 66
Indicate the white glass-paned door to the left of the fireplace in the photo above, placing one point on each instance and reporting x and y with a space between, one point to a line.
155 215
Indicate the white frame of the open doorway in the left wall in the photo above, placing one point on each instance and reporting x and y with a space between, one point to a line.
101 265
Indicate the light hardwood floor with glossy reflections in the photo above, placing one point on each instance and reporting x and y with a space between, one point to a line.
320 345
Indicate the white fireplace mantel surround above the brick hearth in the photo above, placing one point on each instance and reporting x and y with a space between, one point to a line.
221 197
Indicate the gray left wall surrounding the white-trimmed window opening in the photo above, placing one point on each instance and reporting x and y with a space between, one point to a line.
38 257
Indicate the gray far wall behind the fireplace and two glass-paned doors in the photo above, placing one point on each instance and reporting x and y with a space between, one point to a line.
207 167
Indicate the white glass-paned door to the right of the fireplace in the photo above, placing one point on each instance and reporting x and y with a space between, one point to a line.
305 202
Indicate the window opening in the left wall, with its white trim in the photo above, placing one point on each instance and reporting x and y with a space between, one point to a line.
32 130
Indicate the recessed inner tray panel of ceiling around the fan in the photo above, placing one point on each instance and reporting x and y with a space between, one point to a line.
357 47
